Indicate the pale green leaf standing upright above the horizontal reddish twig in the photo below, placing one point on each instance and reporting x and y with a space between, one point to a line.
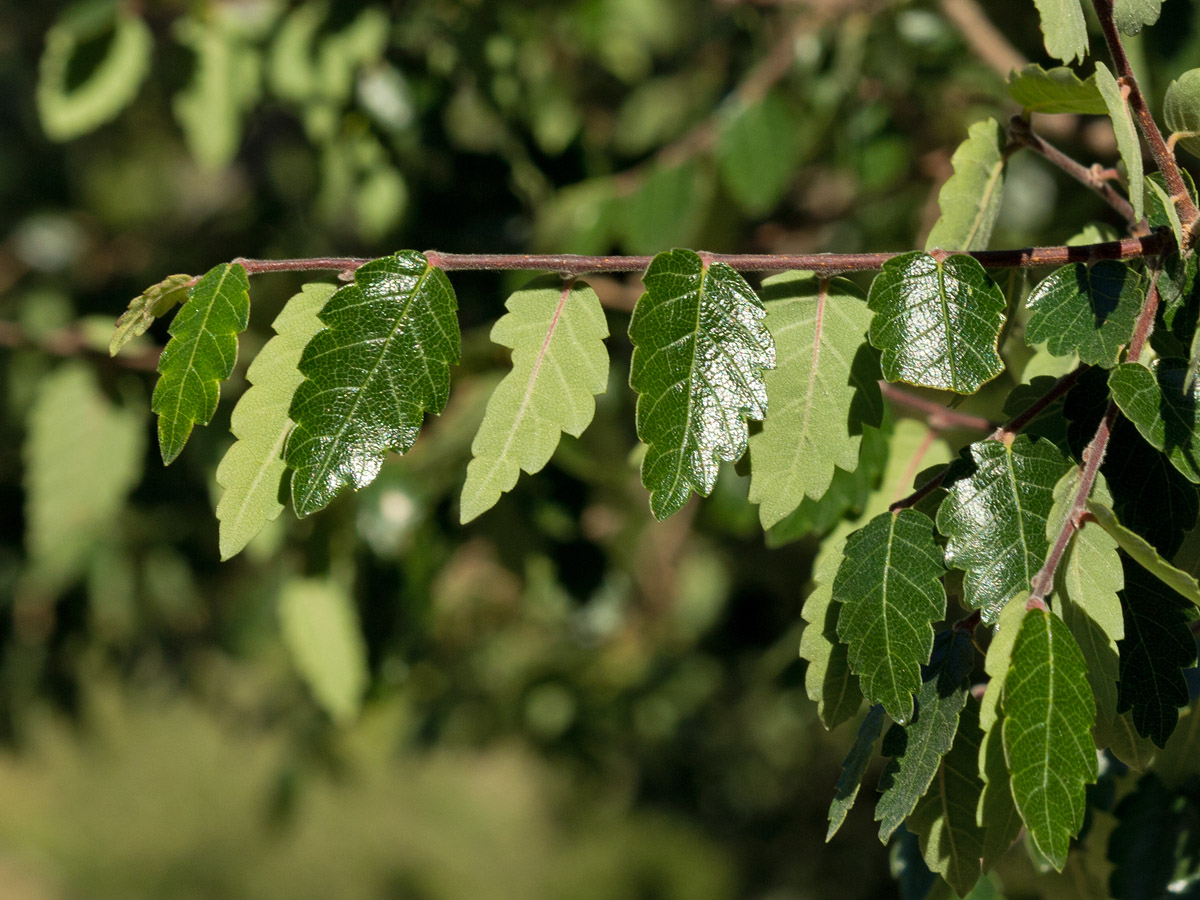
970 199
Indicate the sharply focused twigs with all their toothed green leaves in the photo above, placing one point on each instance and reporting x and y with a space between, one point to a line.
1041 559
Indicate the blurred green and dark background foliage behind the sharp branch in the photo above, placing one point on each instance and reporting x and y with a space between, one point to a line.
565 699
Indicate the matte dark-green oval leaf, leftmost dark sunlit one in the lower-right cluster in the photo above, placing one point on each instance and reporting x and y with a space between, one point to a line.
890 590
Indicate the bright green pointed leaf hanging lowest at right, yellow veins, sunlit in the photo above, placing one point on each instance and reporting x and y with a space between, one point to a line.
1049 713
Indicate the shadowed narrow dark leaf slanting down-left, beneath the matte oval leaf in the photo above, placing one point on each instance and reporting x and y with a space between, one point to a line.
917 749
